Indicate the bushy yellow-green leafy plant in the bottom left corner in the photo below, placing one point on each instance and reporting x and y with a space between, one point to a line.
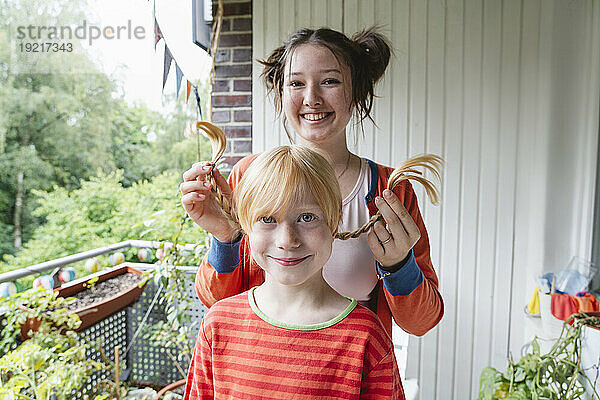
52 363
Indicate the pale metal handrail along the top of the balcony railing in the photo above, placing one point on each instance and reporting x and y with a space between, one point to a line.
61 262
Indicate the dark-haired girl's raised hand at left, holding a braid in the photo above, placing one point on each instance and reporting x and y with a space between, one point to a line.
199 203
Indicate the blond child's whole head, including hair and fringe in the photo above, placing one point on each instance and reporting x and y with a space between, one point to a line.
289 204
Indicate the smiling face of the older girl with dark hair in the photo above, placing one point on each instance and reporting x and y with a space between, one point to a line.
317 94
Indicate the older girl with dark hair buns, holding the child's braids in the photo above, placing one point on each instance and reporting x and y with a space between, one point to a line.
320 79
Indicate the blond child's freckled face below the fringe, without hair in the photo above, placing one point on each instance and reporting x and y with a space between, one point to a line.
292 248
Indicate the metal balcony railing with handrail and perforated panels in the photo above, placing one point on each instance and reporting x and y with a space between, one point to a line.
142 361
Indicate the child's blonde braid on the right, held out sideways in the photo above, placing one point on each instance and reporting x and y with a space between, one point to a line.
406 171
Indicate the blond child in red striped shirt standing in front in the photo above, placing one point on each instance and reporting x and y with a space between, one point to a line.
293 336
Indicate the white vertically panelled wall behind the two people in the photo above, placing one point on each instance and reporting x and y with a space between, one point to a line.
507 92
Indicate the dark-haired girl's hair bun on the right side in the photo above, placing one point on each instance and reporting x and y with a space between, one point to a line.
376 49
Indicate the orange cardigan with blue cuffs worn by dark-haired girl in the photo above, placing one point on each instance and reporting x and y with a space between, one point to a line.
416 312
